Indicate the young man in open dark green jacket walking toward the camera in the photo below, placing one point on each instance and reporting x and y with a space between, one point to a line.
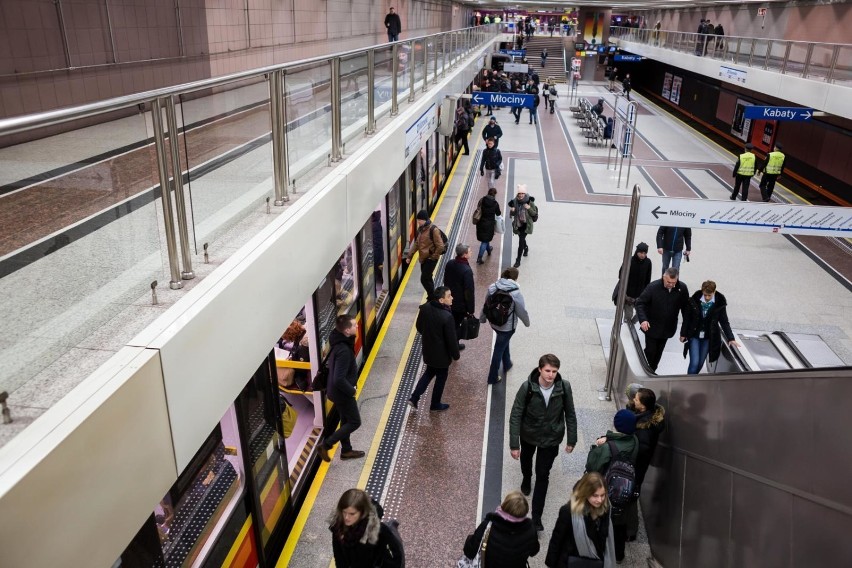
542 412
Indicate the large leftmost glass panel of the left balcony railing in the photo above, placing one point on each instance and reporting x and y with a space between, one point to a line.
80 250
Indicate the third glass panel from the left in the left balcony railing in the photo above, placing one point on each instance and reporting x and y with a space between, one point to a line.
308 97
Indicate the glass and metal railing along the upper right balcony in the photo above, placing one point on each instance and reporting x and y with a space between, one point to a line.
828 62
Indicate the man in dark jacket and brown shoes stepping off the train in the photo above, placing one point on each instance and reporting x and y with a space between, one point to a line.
342 381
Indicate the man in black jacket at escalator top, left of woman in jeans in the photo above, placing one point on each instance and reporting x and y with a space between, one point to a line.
657 308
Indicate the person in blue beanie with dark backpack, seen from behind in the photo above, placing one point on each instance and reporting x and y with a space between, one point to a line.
614 456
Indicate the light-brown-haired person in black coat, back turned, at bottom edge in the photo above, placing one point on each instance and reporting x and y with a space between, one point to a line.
512 539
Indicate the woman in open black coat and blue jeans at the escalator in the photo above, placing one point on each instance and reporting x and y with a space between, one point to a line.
705 311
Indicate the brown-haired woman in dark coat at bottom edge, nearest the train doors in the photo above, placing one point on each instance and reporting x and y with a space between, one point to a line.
359 538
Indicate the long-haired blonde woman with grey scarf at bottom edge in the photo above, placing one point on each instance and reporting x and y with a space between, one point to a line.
583 534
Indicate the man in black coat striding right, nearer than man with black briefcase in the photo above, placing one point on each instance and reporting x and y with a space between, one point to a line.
440 346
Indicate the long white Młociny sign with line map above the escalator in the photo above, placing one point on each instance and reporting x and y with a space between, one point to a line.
738 216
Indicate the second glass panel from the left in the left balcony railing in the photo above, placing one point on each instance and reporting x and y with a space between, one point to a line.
227 151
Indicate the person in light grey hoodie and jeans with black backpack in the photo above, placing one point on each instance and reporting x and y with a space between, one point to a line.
503 307
